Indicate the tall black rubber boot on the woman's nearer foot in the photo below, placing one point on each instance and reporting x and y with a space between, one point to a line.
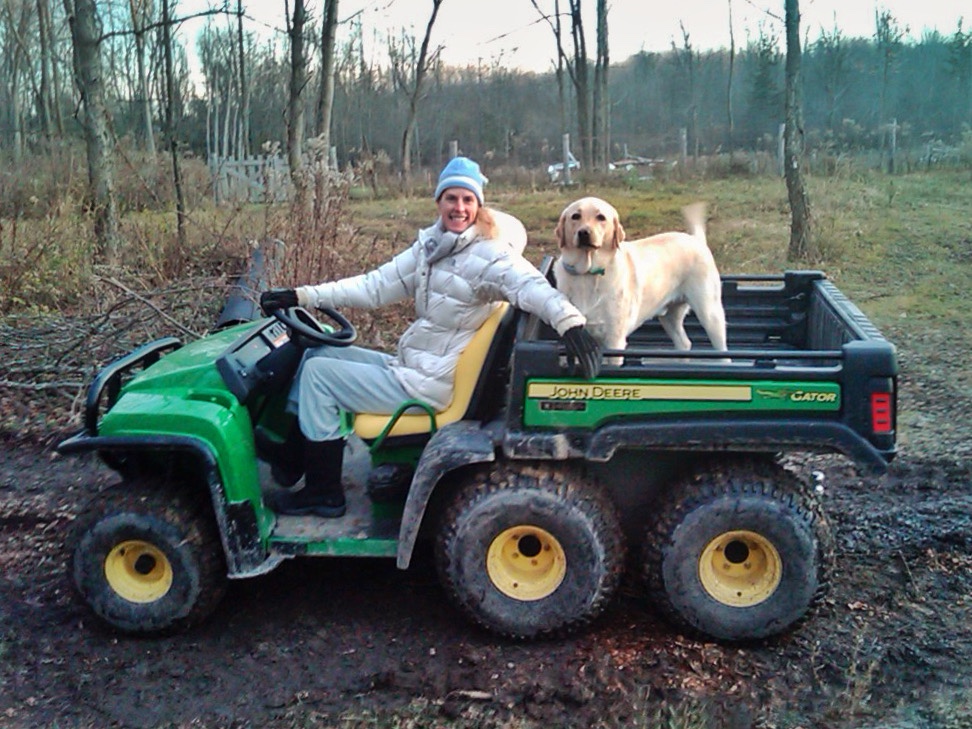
322 494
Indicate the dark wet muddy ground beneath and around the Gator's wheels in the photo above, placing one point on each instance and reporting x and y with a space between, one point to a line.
358 643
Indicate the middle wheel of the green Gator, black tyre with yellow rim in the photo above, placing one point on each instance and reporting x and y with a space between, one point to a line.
528 550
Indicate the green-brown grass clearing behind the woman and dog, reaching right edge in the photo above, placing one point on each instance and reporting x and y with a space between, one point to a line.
900 246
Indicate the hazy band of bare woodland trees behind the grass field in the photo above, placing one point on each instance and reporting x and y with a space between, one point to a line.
653 105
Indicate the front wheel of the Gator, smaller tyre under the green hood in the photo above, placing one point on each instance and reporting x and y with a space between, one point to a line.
148 559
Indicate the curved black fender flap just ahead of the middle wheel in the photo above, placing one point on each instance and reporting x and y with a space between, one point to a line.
456 444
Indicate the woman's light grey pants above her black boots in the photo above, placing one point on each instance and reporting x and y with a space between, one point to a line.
332 379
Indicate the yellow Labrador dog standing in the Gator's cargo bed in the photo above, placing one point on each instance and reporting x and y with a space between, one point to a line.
619 284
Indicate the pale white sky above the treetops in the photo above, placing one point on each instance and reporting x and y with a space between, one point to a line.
509 32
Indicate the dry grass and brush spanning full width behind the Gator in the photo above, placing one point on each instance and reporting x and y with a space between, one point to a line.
901 247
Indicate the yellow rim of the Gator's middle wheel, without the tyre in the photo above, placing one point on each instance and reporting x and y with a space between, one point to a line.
526 563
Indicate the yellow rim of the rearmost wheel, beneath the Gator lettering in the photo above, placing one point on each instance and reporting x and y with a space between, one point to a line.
740 568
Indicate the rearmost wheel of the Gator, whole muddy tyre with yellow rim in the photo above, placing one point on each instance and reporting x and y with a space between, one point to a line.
739 551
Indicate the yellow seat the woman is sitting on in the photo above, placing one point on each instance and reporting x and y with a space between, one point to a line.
469 367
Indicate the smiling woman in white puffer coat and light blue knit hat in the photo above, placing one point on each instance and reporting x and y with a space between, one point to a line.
456 271
